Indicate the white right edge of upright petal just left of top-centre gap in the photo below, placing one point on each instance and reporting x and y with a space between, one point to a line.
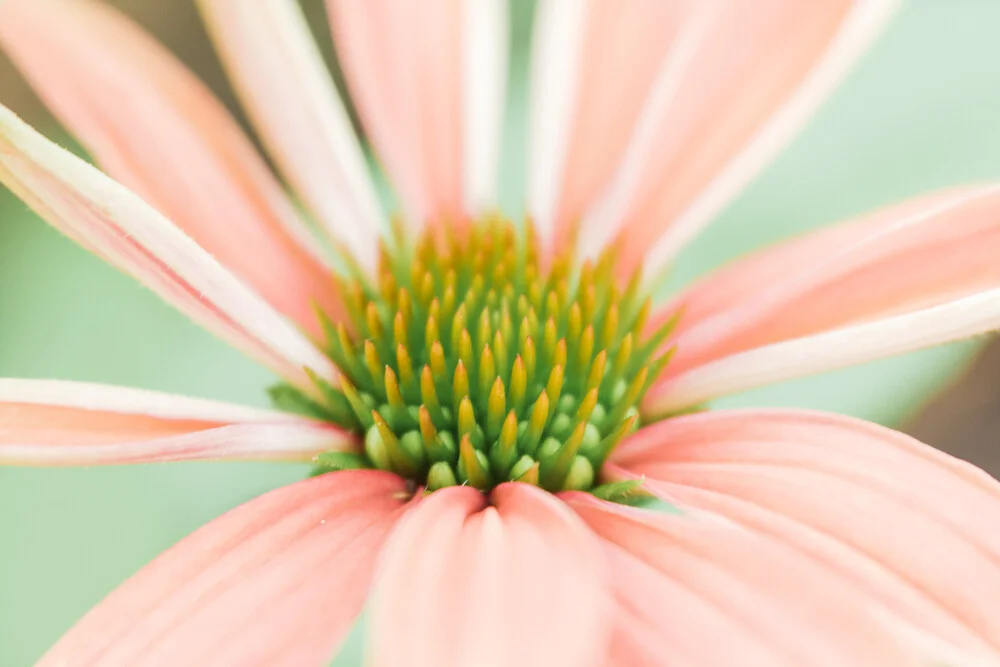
486 38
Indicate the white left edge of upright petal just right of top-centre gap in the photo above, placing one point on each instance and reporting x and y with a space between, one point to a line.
555 63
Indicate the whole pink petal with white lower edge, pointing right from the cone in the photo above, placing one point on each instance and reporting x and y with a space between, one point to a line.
920 254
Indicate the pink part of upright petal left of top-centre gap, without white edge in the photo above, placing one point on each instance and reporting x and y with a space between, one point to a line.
402 62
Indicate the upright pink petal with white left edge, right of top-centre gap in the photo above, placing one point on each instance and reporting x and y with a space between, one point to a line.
584 103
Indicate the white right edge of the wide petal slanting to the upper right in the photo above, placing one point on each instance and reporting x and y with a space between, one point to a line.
859 29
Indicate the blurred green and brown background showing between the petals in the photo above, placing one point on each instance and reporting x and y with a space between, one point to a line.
921 111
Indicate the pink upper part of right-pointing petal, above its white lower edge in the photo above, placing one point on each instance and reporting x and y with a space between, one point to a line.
908 256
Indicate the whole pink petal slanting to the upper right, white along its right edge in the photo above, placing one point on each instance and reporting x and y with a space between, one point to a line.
755 75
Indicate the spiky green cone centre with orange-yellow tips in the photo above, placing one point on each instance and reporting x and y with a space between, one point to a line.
468 363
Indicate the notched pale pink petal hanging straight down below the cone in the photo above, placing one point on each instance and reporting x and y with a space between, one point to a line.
518 582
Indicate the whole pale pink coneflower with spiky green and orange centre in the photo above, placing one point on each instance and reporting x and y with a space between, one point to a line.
477 471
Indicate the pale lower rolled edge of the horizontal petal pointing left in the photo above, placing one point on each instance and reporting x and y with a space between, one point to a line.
236 442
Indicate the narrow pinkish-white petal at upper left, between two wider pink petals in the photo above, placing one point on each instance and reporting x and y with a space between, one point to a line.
288 92
